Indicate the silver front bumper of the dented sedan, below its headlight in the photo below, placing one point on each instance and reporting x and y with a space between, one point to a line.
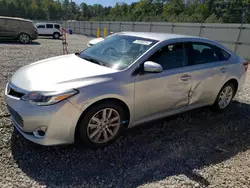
60 120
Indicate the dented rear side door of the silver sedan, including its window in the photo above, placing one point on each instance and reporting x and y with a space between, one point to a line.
208 70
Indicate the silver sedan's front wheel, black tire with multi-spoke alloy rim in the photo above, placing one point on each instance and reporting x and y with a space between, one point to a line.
86 132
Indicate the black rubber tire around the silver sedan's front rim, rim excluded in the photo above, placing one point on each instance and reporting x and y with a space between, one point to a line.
84 120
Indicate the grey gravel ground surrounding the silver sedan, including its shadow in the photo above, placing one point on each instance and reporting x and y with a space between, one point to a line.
195 149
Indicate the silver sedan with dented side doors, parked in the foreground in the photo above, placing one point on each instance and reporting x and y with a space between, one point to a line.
96 94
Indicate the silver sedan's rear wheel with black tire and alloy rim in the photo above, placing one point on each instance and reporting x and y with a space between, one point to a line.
218 104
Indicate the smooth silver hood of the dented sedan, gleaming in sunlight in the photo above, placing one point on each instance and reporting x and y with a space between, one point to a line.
61 72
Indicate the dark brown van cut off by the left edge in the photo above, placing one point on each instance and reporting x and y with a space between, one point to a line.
17 29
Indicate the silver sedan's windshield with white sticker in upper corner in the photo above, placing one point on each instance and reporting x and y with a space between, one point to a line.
118 51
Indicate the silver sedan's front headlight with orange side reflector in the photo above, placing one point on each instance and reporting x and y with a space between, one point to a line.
47 98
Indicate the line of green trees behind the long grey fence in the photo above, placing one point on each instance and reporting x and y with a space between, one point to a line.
209 11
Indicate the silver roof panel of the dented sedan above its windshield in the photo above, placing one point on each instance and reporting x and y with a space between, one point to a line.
158 36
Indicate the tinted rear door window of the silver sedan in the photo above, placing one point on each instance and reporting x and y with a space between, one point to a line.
200 53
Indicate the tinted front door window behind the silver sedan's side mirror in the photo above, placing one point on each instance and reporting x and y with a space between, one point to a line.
169 57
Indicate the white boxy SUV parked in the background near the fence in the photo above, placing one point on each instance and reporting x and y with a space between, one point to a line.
49 29
